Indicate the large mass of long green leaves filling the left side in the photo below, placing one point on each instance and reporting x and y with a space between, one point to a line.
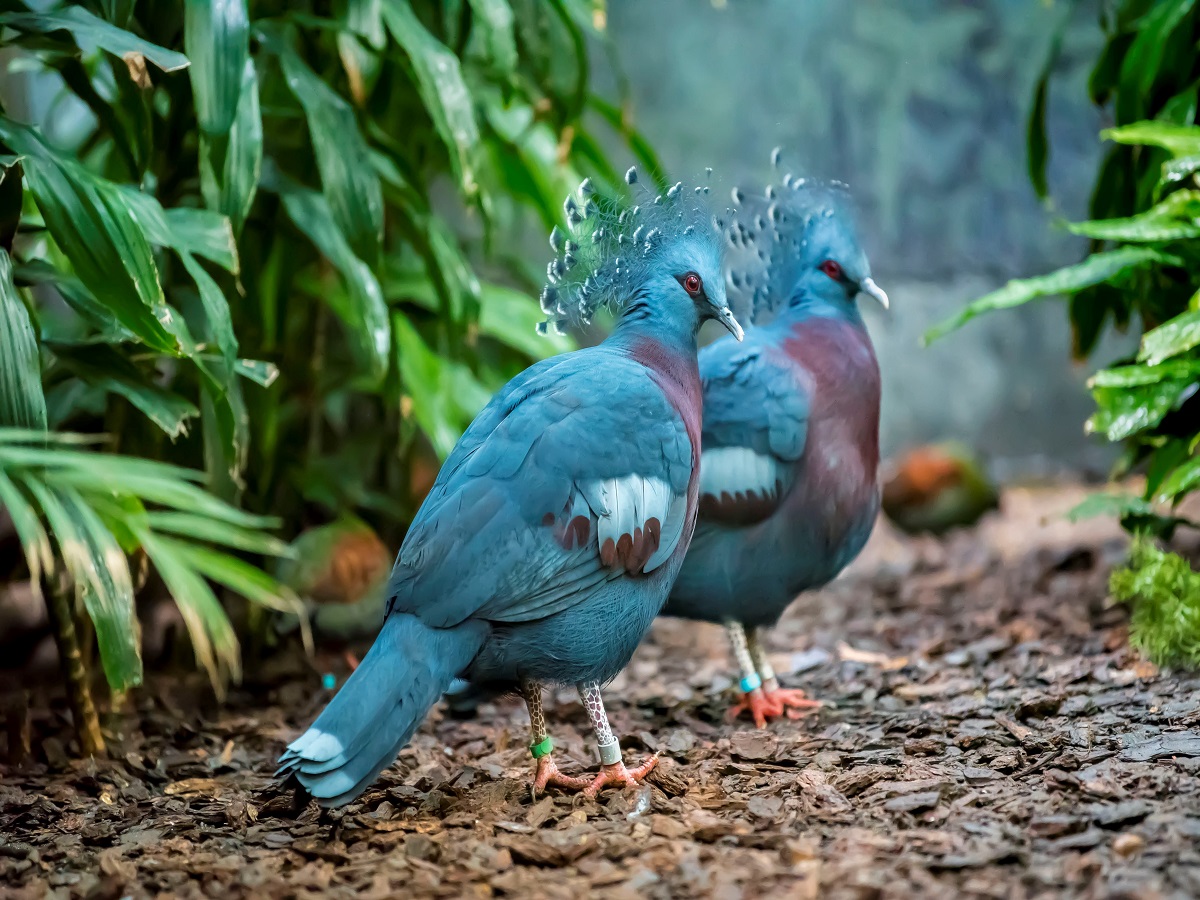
221 251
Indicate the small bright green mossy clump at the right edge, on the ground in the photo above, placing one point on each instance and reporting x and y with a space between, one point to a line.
1165 593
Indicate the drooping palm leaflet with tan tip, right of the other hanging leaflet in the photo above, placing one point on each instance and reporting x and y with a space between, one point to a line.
213 638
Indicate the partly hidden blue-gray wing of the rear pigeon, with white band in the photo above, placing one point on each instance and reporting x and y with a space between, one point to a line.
757 410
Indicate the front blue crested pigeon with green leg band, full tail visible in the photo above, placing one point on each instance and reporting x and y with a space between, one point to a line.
560 521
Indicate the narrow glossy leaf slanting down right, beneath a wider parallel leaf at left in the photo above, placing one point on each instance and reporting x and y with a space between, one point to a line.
362 308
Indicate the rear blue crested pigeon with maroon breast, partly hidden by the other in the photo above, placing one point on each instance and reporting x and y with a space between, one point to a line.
789 487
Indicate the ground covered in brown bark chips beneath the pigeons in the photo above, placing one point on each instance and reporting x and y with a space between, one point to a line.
987 735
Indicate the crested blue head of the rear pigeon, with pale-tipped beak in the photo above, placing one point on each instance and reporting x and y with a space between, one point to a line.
802 249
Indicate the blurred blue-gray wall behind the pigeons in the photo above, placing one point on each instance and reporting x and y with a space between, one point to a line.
921 107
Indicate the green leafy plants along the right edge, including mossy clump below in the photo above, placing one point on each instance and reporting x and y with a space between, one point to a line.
1144 265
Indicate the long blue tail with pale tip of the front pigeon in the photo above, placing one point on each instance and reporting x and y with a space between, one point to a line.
383 703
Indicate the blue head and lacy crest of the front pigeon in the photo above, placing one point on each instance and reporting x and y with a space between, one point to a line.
658 259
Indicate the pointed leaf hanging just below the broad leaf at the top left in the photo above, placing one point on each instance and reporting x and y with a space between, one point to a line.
232 164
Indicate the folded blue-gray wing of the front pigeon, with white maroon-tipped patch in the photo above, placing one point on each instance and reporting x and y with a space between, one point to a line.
577 473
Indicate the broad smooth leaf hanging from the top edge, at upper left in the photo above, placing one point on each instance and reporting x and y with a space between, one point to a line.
217 38
